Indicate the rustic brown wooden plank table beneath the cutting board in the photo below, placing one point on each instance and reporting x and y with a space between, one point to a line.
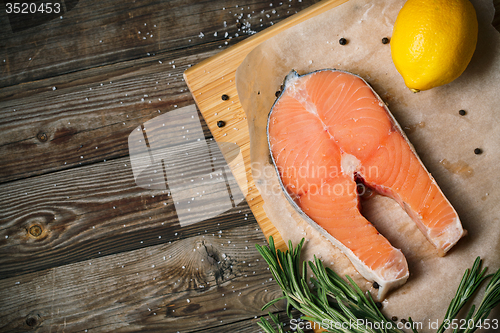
83 248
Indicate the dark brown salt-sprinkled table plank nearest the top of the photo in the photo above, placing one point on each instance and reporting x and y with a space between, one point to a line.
97 33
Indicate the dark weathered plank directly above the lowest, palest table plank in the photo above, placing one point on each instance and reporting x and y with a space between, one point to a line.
97 210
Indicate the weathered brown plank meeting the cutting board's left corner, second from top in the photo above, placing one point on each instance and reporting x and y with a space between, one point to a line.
46 130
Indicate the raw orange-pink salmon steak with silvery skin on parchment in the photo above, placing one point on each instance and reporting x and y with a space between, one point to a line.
329 128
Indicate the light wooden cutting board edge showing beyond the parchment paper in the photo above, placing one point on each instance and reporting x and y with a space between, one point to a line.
214 77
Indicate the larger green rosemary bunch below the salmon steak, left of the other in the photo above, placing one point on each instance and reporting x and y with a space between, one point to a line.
332 303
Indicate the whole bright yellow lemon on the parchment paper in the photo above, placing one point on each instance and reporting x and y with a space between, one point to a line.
433 41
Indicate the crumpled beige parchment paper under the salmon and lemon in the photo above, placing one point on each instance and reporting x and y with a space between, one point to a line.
444 140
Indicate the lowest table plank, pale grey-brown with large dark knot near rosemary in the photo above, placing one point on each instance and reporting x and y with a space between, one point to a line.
194 284
